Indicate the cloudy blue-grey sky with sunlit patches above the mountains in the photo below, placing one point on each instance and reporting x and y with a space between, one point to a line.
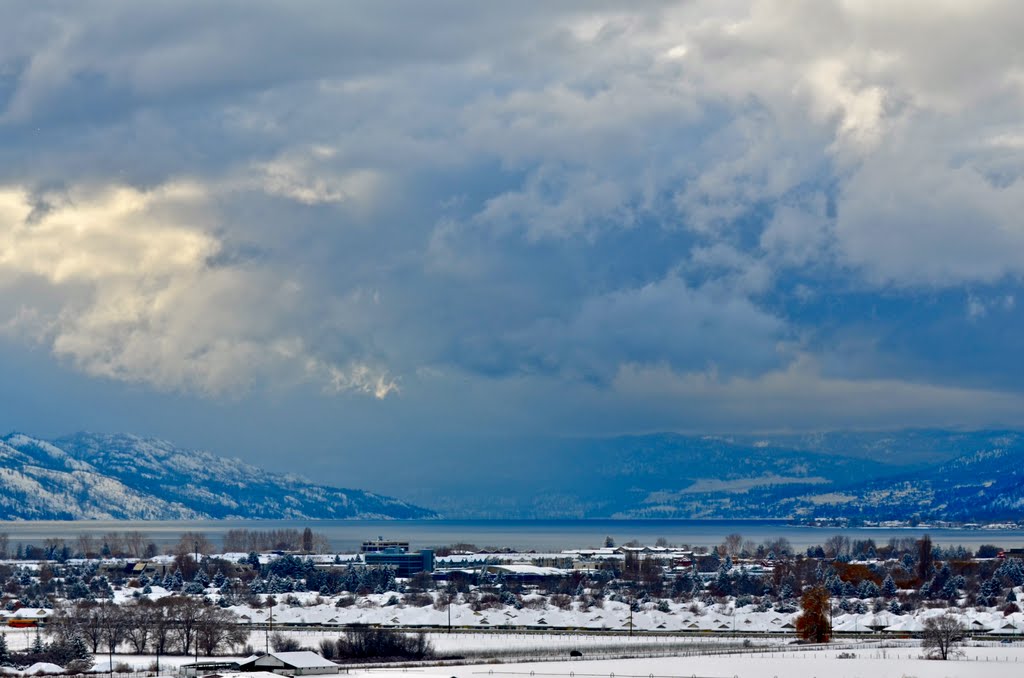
345 239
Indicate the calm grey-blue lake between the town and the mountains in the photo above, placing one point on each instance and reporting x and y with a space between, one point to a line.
523 535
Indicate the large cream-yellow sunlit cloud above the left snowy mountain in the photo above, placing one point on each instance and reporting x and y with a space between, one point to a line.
135 294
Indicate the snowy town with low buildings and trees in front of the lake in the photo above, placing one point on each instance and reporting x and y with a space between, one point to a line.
102 603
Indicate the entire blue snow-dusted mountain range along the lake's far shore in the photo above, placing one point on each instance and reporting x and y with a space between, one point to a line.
893 476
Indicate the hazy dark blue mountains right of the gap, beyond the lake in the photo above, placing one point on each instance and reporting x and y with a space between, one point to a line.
909 475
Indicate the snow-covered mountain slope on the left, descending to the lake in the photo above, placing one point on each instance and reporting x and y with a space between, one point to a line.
91 477
